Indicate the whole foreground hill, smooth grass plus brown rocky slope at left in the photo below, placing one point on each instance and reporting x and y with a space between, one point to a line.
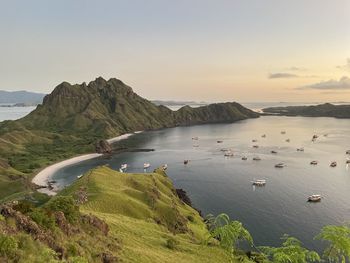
147 222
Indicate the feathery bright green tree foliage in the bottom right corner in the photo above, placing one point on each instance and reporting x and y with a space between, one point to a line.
338 238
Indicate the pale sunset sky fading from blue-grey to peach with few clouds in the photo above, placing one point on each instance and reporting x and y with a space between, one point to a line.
218 50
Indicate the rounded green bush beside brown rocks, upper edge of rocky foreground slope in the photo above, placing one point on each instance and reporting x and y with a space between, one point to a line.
66 205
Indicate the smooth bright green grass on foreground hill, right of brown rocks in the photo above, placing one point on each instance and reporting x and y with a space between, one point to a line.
144 213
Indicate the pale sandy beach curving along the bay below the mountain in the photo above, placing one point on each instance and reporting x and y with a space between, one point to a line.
44 175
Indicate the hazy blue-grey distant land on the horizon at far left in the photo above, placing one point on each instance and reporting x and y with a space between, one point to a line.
21 98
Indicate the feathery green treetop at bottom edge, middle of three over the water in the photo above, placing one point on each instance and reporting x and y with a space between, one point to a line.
291 251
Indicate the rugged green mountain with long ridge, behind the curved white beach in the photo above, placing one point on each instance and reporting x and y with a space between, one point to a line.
74 117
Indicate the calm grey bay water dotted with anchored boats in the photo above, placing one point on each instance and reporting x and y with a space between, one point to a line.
217 184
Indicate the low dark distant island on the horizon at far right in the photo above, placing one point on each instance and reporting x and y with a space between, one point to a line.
321 110
